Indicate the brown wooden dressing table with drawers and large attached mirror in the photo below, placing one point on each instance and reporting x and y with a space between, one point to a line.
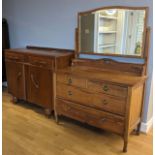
106 93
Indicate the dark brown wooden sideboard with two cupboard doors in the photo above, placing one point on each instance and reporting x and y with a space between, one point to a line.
30 73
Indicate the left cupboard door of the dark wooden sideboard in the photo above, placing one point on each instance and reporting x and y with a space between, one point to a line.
15 79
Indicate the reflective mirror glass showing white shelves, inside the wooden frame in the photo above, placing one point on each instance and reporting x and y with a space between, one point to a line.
112 31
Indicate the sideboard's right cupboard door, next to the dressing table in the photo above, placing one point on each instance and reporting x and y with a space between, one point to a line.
40 86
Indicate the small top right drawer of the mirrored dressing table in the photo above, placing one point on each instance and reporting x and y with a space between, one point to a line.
107 88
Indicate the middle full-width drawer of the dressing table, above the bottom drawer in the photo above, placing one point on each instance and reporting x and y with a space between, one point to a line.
99 101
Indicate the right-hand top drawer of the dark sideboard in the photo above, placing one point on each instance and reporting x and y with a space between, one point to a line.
41 61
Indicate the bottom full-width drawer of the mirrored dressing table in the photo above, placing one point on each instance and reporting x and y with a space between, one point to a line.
97 118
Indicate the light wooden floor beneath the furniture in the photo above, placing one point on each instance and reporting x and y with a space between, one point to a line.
26 131
